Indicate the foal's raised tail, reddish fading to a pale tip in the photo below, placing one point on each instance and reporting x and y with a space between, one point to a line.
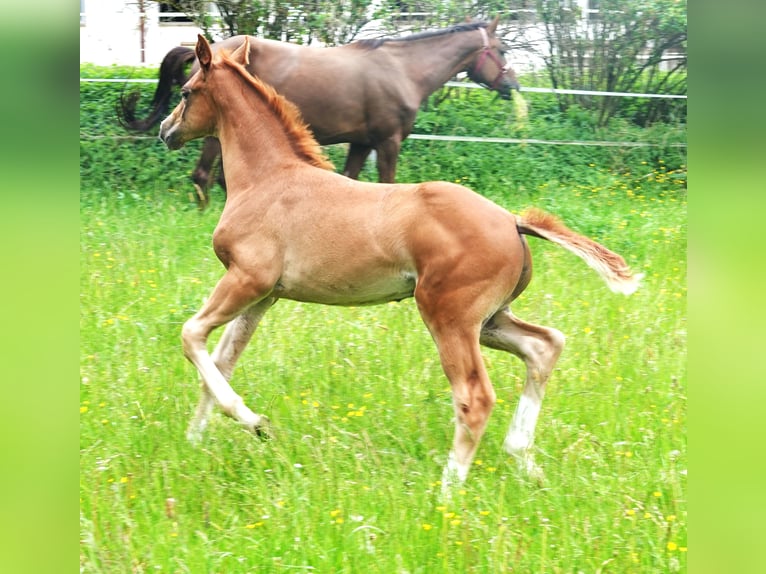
608 264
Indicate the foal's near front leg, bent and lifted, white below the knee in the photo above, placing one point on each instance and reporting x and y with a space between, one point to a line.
234 293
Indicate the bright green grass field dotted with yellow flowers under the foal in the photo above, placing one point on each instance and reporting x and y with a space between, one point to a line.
362 411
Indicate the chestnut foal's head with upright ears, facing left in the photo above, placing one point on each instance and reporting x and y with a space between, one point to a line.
195 115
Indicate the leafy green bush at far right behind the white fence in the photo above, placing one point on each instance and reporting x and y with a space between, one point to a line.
621 46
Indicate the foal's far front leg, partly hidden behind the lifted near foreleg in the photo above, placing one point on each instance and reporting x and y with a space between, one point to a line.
233 341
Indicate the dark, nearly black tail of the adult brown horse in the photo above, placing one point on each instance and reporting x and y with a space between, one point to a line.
172 72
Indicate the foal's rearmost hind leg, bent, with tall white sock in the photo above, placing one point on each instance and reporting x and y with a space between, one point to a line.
539 347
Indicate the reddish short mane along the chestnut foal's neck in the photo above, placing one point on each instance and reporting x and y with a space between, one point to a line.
301 137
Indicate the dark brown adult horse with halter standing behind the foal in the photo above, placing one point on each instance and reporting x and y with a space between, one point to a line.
366 93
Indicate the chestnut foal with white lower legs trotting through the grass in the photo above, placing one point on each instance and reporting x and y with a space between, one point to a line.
293 229
